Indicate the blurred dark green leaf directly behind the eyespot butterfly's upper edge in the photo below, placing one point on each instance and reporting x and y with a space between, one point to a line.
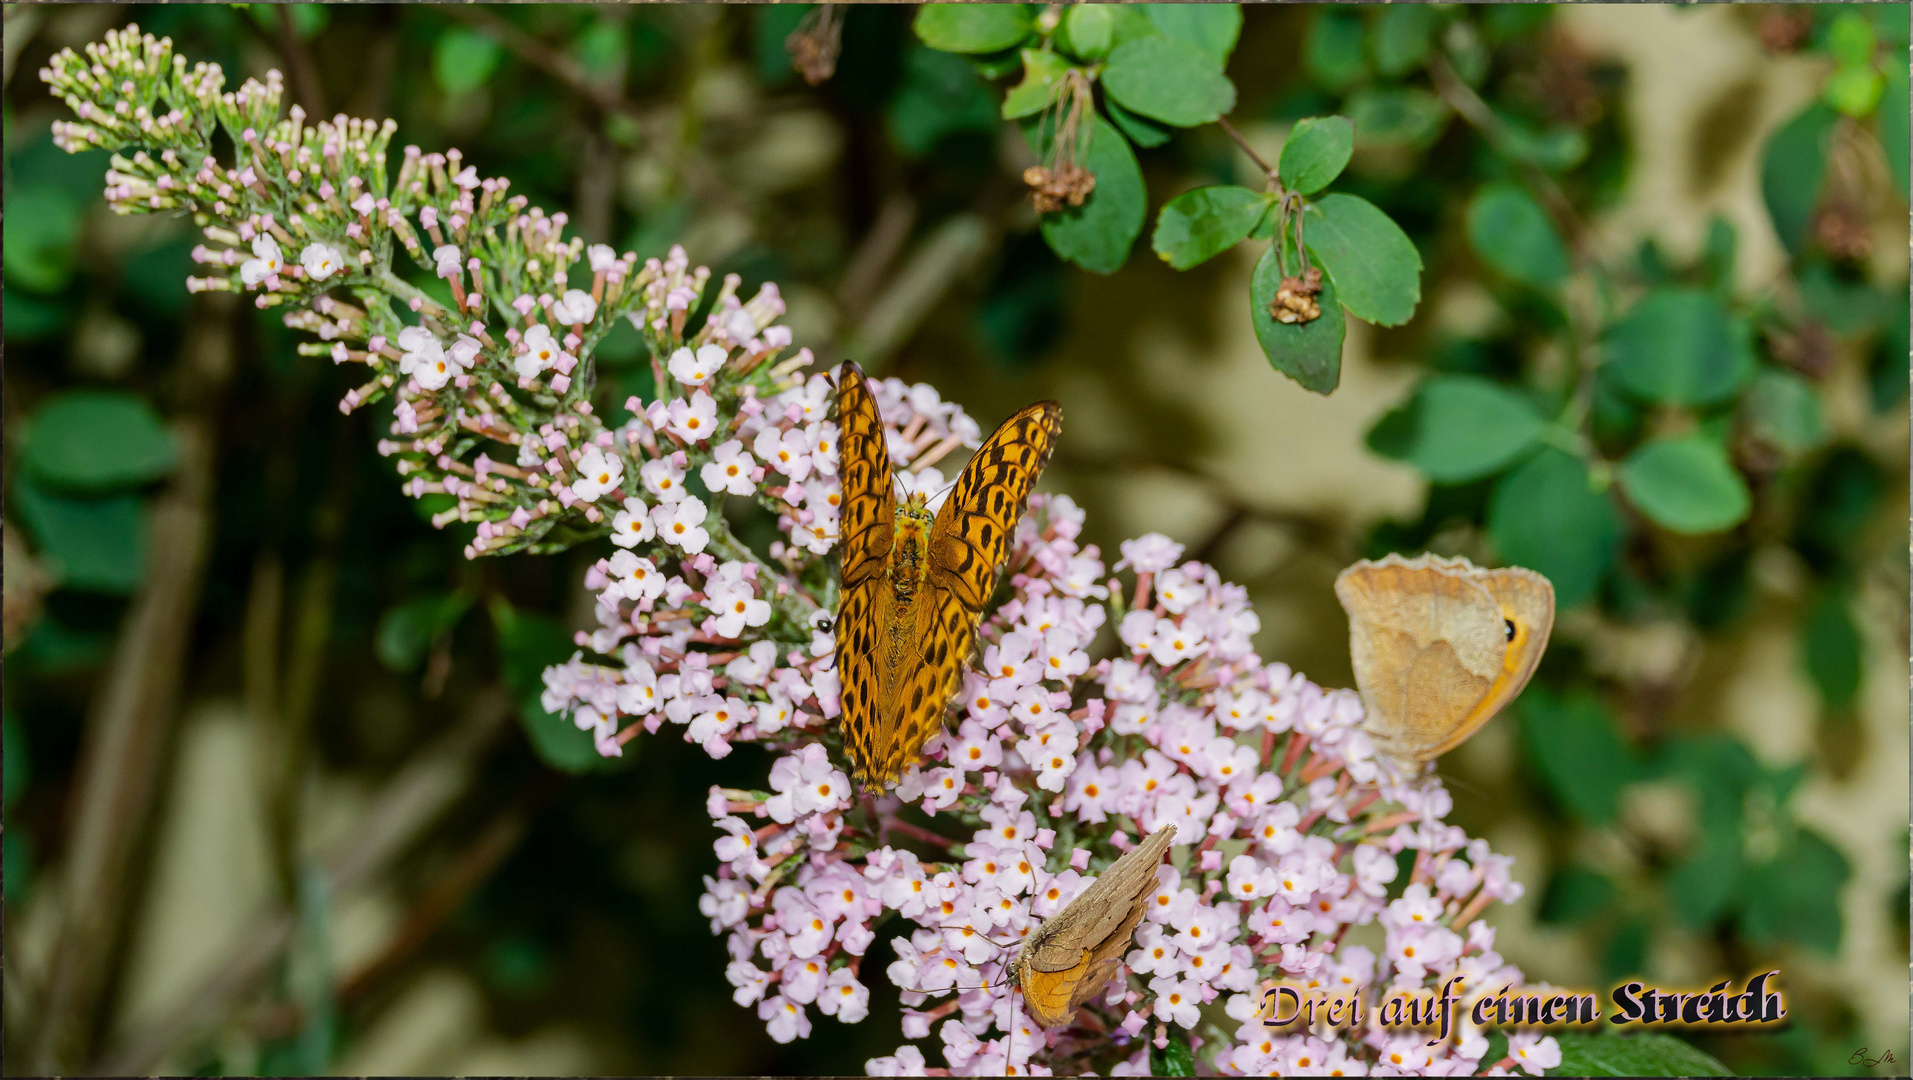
1549 517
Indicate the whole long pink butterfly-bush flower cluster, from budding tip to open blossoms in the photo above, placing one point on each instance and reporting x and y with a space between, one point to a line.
1107 702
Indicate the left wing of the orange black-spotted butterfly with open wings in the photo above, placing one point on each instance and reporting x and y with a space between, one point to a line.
866 538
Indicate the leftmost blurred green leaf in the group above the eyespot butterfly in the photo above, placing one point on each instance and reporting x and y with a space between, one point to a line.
1464 427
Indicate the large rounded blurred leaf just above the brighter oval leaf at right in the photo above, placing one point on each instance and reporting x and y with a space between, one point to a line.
1679 347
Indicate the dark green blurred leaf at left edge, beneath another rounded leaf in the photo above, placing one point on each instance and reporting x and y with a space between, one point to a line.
91 544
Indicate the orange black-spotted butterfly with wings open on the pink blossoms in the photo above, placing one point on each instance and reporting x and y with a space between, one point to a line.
915 584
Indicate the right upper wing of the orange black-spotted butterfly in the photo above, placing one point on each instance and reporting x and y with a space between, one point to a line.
977 525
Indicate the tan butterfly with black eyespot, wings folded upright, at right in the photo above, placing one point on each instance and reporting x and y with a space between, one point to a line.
1440 647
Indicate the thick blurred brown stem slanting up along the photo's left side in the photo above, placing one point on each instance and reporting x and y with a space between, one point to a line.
131 724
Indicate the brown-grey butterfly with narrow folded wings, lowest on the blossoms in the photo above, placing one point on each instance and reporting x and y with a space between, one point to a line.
1072 957
